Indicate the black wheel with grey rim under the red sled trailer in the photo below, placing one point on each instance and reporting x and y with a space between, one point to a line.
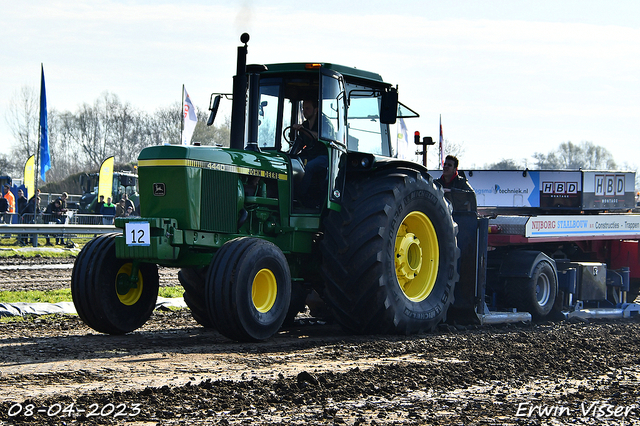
536 295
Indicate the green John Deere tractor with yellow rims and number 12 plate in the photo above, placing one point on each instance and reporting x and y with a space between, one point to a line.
307 197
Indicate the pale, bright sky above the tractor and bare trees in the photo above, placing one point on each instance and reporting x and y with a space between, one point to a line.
510 78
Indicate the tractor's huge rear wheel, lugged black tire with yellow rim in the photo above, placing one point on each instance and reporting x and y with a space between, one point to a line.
390 256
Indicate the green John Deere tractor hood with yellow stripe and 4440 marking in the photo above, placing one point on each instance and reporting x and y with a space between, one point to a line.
200 186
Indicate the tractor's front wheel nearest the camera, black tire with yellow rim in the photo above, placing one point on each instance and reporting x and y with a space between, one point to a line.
248 289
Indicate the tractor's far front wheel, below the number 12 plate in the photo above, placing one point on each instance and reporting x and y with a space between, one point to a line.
94 288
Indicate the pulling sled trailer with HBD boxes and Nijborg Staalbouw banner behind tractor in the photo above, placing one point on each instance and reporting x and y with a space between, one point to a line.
559 244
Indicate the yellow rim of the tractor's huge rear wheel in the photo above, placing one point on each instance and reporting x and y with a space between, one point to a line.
417 256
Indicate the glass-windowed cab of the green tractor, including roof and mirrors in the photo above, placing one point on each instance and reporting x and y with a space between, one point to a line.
352 110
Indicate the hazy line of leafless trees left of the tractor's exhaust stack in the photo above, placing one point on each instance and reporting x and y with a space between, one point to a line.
79 141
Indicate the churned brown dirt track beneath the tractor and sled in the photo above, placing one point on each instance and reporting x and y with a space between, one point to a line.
55 370
